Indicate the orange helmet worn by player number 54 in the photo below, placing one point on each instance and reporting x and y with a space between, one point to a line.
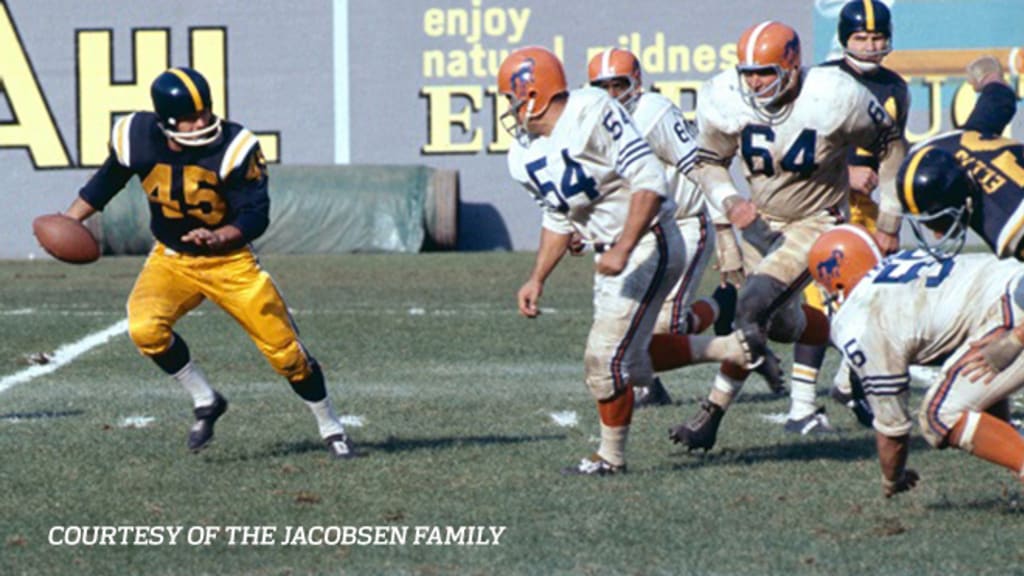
531 77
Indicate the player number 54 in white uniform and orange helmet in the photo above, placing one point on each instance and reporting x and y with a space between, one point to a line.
580 156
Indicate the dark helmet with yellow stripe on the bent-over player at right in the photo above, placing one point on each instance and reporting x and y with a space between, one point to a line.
935 192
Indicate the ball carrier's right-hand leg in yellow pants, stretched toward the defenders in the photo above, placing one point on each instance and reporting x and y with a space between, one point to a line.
248 294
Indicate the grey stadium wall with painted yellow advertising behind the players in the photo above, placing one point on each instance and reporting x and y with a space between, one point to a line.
363 83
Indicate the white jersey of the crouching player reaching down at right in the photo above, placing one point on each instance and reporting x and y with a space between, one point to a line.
913 309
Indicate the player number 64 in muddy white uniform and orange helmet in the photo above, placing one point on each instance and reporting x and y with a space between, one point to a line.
792 129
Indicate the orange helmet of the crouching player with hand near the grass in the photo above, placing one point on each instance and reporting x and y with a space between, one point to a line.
841 258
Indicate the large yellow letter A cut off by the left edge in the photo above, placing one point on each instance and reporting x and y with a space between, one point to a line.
34 128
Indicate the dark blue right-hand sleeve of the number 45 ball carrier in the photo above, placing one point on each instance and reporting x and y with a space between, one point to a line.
247 195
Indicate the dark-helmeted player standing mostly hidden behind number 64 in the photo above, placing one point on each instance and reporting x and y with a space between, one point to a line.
866 32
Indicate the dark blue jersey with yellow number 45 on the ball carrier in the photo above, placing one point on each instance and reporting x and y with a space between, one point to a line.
224 183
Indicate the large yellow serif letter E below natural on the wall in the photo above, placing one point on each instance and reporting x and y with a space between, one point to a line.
441 118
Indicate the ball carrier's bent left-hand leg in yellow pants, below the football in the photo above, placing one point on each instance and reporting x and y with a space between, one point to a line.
164 293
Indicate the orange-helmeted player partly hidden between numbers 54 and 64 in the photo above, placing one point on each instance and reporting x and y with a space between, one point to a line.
673 140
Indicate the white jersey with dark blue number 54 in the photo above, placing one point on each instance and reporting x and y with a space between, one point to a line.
585 173
